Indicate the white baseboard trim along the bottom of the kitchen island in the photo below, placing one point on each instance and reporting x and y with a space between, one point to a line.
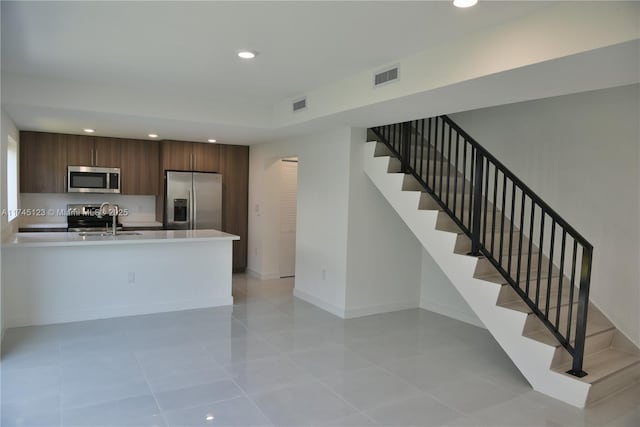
121 311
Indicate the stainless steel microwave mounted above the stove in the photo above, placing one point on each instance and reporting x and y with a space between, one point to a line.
88 179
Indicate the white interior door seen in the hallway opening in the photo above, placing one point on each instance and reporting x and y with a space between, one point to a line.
288 202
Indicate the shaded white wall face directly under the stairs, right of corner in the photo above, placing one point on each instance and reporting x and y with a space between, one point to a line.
383 256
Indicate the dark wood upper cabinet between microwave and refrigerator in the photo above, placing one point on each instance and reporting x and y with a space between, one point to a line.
139 162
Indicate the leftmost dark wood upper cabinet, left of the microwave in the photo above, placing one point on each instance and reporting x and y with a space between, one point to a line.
43 162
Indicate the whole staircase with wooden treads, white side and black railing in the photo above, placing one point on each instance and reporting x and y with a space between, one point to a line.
523 269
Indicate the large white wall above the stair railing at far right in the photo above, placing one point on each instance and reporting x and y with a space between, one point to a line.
581 154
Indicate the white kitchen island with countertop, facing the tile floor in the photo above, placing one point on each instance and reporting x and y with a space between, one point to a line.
62 277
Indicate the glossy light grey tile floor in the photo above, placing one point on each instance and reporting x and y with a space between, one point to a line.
275 360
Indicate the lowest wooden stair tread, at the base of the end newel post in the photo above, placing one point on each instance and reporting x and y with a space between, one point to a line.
602 364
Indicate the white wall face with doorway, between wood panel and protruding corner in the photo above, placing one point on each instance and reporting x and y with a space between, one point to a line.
321 230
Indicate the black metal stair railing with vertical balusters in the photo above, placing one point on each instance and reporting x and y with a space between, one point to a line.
506 222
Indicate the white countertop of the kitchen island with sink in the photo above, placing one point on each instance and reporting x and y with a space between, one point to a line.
40 239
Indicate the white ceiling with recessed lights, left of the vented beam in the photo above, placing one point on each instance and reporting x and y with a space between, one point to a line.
148 55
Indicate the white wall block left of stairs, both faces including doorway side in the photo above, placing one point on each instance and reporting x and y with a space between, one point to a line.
354 255
